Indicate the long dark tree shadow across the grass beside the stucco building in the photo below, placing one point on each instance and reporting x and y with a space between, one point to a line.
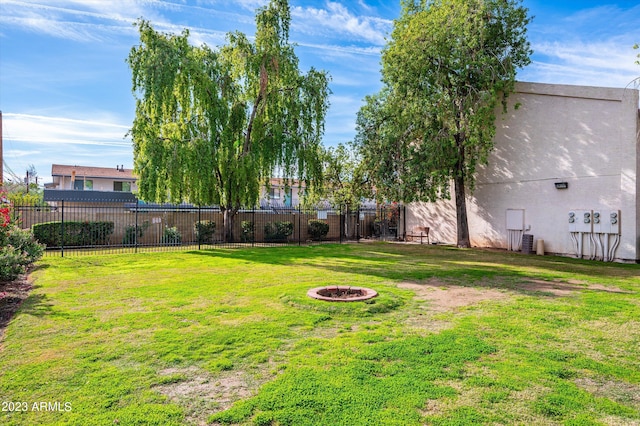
454 267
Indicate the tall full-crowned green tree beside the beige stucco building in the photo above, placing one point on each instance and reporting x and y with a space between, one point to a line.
446 68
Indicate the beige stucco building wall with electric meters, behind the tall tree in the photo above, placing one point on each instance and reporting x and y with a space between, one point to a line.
566 149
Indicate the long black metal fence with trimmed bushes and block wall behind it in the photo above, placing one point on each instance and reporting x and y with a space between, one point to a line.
84 227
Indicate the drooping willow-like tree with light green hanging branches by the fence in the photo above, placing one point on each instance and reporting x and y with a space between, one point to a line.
211 126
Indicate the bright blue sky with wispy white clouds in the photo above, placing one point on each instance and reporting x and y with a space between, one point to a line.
65 89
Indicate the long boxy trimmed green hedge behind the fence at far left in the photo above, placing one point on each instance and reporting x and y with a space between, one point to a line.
76 233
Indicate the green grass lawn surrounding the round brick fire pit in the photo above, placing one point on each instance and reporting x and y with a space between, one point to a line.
455 337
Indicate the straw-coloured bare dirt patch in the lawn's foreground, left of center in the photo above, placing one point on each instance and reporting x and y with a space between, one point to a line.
203 394
